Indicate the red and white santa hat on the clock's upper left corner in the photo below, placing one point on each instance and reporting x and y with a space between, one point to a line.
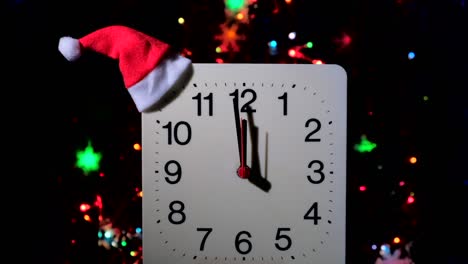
148 67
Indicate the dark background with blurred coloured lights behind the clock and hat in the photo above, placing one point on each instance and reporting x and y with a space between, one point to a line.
407 92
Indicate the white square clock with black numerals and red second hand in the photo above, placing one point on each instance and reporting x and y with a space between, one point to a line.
291 208
